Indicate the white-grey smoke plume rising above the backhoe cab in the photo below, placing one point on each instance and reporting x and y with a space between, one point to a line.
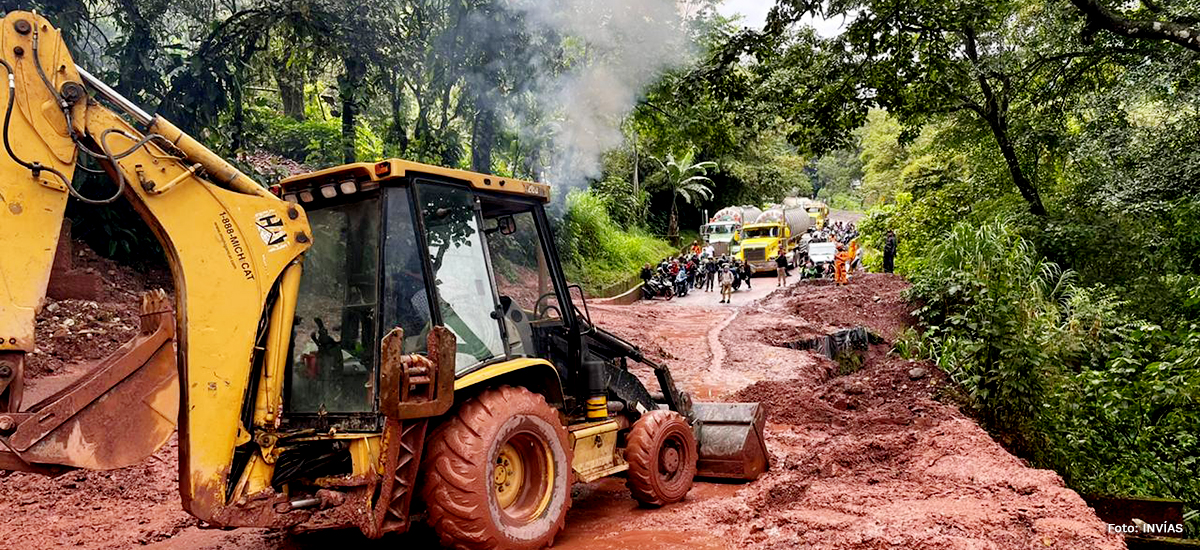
620 47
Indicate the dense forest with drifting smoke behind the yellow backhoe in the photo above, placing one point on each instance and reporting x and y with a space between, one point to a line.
517 88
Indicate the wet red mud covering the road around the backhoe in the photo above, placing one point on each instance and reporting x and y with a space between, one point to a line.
867 461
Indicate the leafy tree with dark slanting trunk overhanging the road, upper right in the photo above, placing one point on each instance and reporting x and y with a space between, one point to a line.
993 65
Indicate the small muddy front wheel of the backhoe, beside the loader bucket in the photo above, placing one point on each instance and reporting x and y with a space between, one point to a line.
662 455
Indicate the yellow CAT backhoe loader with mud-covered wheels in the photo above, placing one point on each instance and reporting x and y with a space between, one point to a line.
347 349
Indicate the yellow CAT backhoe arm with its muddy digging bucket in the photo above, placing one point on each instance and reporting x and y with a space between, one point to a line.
235 253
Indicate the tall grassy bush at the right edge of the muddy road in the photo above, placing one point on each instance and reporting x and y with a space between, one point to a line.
989 309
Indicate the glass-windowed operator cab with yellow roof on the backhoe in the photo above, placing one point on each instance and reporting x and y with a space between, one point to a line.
413 247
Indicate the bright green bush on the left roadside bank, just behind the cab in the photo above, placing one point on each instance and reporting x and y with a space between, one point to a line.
596 252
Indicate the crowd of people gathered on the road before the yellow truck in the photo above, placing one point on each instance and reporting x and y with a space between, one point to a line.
701 270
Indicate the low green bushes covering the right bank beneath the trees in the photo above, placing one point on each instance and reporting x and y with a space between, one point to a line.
1063 374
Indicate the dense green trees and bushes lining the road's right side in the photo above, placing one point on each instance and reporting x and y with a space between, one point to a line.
1055 276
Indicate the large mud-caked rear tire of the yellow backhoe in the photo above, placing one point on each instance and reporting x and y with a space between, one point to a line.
497 475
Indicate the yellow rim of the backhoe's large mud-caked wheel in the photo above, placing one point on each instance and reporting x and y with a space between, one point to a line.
524 479
